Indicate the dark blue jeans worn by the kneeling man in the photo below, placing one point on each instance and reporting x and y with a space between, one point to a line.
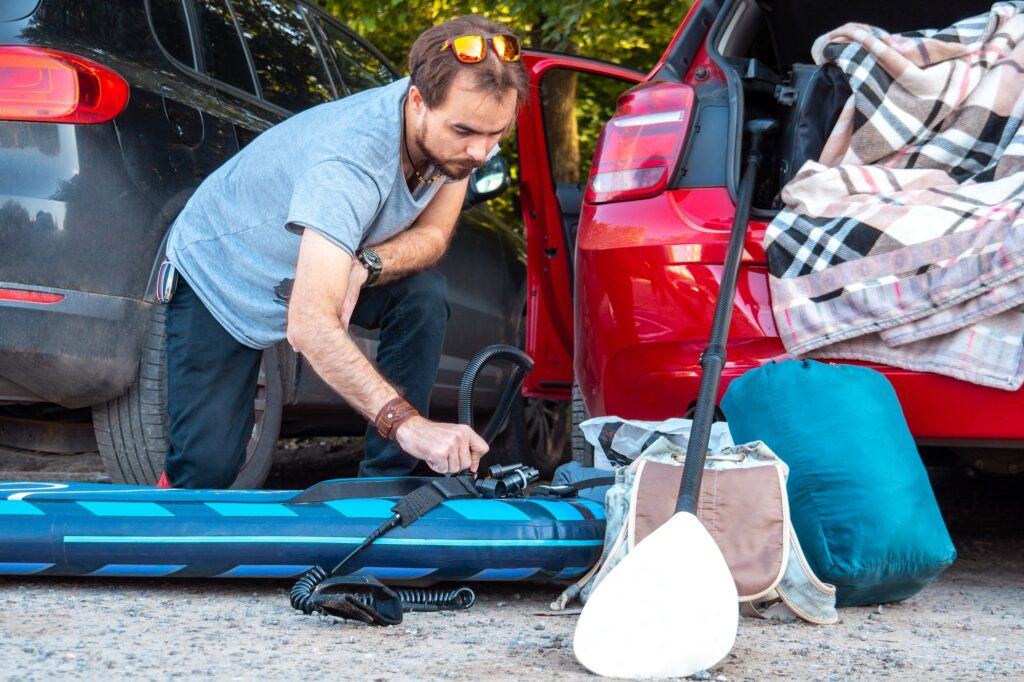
211 378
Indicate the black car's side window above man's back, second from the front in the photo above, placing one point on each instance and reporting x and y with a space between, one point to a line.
289 67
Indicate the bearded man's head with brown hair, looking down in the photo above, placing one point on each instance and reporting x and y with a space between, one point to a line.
462 110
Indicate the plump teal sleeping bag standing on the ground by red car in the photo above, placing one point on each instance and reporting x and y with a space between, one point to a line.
860 497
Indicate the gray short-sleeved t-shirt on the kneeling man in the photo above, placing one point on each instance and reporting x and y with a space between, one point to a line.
335 168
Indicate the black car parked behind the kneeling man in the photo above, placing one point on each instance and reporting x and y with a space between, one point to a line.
112 112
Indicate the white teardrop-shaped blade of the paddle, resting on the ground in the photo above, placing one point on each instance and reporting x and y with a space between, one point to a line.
669 610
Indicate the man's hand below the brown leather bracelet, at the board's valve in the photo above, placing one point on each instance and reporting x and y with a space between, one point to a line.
448 449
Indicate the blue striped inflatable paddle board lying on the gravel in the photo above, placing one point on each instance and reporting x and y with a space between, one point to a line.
69 529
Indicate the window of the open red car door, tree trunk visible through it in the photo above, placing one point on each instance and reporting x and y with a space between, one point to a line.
576 107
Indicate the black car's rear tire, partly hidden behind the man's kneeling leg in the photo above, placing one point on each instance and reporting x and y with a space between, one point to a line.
132 430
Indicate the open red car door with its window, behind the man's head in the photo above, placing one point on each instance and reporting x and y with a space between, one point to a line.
571 100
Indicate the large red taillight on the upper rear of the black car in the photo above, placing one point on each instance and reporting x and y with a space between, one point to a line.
40 84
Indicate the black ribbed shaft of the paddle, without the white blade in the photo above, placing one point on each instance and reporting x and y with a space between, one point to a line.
713 359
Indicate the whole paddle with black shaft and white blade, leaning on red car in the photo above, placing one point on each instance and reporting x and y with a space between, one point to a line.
670 608
